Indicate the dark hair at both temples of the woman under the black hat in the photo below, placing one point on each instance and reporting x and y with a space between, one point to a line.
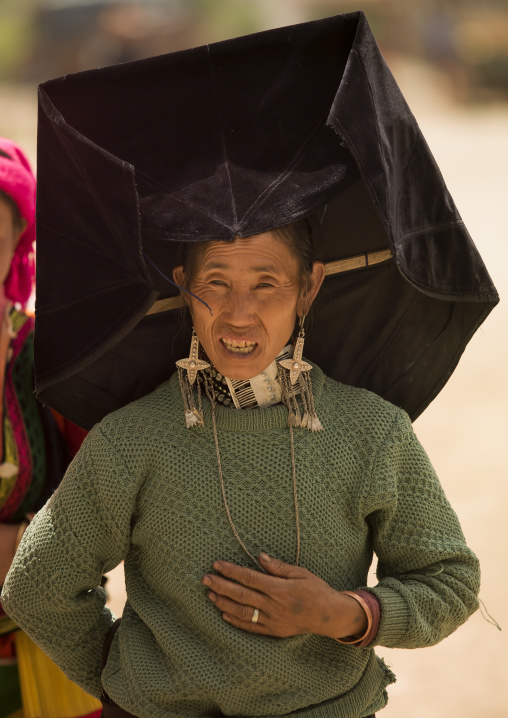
297 236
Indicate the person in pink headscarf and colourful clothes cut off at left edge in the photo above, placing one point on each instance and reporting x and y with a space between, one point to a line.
34 450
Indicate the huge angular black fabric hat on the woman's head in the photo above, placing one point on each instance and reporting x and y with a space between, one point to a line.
233 139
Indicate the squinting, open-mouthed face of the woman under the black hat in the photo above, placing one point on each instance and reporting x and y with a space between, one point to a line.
254 291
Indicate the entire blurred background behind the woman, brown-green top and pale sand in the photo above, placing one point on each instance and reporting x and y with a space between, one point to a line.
450 58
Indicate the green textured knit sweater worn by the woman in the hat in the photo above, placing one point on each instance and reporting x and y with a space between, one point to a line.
145 489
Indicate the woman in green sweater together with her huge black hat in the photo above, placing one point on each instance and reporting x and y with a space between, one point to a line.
248 491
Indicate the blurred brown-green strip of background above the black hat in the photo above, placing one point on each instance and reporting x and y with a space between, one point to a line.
465 41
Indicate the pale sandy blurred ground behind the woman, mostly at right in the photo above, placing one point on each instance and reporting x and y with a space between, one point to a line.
464 430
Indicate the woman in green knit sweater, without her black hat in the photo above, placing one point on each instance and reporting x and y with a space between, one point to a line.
205 631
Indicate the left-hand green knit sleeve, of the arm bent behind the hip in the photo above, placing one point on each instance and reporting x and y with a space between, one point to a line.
53 587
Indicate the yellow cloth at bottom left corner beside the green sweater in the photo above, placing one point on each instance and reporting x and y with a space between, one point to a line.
45 690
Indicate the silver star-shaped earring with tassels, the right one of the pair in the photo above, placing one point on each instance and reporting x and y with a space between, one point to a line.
298 370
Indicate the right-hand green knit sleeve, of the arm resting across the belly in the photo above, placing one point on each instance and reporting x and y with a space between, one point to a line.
428 578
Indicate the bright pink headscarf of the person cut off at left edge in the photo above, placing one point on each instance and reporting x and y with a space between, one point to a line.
18 181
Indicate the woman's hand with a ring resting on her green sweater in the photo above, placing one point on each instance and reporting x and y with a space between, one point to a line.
291 600
